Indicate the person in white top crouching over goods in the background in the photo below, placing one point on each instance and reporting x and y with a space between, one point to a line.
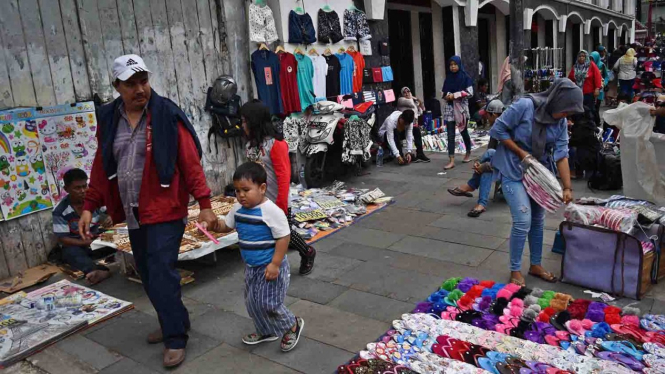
397 126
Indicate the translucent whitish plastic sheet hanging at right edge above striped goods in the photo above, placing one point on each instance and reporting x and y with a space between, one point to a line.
641 148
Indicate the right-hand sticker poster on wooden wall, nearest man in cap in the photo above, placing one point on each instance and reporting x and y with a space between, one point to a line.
67 135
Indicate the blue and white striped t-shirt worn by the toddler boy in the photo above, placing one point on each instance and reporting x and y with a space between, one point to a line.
258 229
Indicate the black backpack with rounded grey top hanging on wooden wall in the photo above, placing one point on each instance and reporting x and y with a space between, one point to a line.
224 107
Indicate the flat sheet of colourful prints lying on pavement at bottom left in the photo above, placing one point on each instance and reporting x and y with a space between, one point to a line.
30 322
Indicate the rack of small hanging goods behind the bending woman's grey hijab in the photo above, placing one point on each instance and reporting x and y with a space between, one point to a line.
543 65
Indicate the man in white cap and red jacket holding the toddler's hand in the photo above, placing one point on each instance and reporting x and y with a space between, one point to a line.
149 187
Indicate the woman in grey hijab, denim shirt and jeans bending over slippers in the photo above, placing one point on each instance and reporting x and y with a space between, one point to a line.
533 126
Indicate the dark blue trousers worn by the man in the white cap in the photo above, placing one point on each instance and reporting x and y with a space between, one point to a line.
155 249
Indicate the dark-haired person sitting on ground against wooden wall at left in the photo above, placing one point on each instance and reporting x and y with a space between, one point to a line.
76 251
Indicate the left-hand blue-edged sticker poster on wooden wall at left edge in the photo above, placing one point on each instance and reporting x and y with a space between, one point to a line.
23 183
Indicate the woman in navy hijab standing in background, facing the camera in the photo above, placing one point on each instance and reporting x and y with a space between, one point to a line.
457 89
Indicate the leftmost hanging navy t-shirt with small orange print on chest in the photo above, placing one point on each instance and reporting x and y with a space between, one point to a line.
265 66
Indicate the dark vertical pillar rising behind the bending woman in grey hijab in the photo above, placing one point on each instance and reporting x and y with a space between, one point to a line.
517 46
